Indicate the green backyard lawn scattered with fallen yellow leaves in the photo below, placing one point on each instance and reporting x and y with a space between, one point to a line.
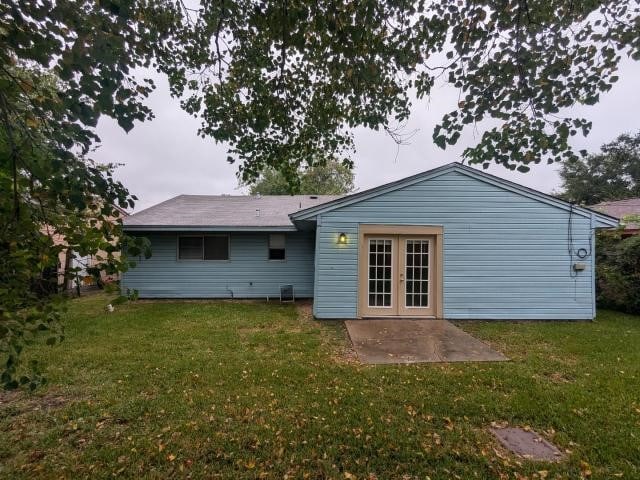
249 390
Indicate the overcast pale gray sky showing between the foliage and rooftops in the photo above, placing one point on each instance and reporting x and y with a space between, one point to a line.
165 157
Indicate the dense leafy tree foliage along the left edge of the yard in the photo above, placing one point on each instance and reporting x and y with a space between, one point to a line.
62 65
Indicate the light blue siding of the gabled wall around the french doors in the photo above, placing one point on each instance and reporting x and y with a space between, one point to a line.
505 254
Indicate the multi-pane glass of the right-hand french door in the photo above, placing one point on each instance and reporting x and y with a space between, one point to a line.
417 273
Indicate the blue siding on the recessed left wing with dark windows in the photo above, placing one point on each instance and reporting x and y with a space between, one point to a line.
248 272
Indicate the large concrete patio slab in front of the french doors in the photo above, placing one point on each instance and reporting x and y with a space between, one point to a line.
399 340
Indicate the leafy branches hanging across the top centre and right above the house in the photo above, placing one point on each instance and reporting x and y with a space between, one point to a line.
286 82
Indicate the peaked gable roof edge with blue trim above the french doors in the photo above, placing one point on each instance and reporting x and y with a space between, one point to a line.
308 213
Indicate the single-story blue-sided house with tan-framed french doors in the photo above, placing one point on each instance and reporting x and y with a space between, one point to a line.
452 242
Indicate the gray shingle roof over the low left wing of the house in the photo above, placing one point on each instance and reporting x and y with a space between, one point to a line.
224 211
